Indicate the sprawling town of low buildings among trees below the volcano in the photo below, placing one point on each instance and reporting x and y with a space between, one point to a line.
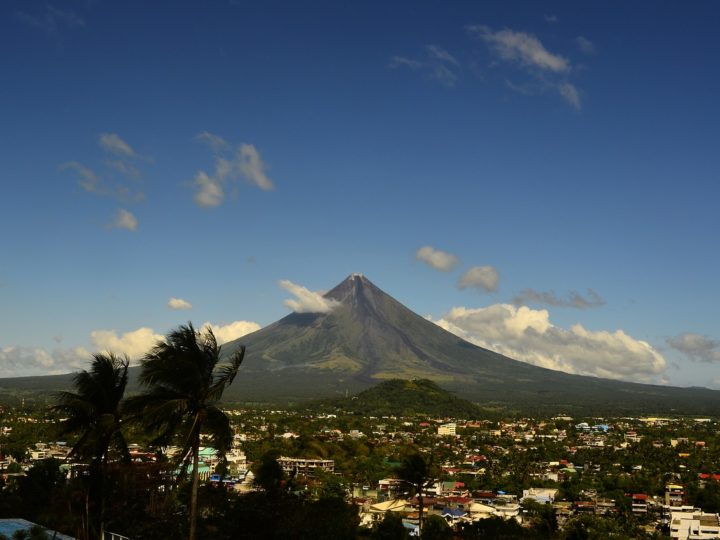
555 477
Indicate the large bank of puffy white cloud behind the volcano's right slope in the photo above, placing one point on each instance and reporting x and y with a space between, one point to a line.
528 335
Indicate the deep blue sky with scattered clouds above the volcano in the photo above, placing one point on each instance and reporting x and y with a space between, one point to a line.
539 178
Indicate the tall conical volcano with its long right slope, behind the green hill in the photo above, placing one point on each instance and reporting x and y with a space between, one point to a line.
368 337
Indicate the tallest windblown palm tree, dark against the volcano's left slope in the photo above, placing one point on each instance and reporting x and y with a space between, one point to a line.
184 381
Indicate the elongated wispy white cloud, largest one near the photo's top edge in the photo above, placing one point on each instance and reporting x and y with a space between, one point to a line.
520 47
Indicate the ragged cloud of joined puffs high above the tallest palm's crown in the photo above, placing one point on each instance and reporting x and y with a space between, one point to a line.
231 165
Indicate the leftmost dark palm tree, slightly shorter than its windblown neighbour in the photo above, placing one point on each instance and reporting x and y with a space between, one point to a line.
94 412
